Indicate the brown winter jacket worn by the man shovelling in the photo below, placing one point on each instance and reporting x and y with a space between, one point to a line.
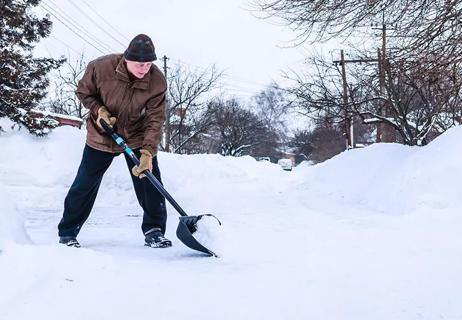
138 105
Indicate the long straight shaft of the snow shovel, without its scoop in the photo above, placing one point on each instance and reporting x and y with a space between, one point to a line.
121 142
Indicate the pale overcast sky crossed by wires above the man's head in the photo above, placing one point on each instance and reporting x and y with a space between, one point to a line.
252 52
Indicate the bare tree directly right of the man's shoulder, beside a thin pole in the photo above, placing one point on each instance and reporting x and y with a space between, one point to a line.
189 112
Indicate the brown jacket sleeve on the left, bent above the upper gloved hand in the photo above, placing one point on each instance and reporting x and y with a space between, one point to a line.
87 91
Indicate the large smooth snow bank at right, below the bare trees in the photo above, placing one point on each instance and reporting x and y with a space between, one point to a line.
392 178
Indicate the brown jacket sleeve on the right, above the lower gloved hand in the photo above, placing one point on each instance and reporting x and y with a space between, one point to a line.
155 117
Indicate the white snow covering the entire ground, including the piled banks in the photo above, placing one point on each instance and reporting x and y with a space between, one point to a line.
373 233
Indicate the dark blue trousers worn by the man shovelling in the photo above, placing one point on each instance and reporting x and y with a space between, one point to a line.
82 194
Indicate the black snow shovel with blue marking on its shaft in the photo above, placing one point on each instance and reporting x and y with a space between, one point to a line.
188 224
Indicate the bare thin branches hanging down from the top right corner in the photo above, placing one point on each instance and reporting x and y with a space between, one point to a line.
428 27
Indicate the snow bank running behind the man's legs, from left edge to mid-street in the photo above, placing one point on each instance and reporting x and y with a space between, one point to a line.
54 159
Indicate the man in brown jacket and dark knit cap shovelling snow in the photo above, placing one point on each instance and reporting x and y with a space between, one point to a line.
128 92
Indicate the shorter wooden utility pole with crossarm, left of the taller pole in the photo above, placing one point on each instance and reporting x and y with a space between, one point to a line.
349 120
